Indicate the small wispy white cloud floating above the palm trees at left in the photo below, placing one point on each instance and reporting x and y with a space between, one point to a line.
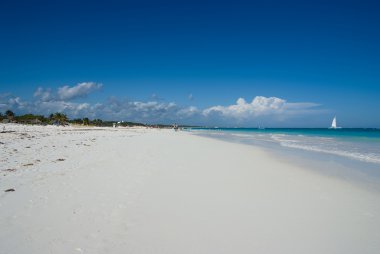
78 91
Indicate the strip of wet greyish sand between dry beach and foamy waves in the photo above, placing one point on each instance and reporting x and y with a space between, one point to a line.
364 174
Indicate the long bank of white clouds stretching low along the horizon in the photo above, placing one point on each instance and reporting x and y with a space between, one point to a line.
261 110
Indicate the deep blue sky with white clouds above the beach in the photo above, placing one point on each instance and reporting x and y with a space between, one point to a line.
295 63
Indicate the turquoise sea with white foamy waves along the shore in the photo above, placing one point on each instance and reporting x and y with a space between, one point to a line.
354 144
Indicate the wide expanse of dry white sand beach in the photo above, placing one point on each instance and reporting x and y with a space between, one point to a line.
120 190
